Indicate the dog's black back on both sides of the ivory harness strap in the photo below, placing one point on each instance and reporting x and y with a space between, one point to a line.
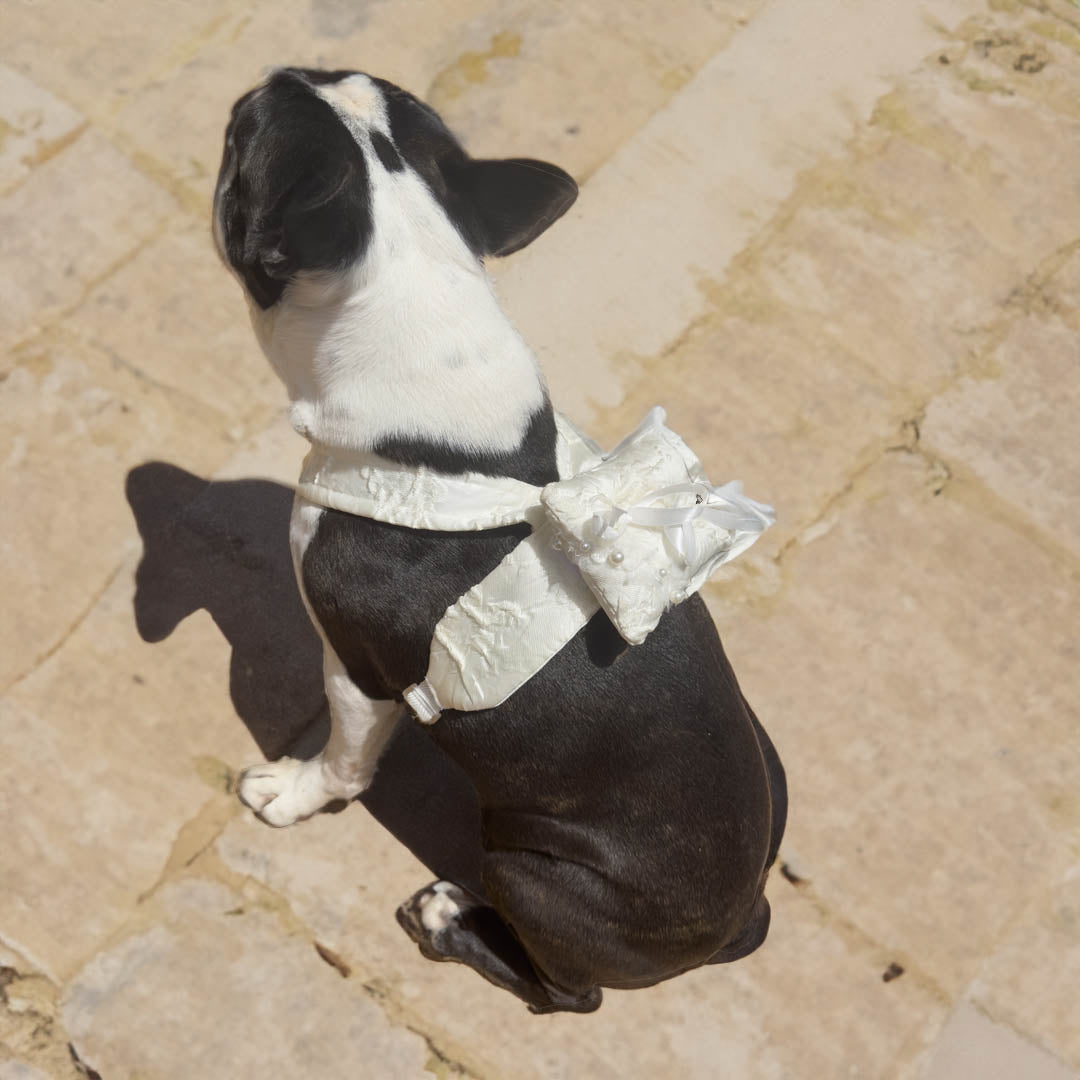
631 811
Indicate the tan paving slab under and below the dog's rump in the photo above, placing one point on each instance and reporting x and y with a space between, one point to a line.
344 875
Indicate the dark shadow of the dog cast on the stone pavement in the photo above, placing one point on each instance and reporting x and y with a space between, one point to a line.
224 546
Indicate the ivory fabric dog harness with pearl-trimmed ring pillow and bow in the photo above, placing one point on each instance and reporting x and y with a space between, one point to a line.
633 532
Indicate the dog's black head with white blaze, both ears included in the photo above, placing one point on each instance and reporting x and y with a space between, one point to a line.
305 153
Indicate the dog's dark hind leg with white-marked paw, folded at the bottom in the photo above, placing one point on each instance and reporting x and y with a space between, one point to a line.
450 924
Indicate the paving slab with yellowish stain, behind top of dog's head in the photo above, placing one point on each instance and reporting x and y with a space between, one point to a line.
510 78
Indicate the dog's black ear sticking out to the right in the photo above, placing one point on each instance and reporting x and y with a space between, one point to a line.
512 200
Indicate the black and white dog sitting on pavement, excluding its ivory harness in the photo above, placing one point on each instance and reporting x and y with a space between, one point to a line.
632 804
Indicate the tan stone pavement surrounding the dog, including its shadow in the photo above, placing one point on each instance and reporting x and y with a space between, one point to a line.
842 244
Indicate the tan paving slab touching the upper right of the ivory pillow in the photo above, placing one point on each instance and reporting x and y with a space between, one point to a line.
763 394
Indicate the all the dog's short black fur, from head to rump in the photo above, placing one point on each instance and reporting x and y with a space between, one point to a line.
632 804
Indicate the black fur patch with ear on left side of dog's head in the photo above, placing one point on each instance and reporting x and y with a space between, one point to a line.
300 197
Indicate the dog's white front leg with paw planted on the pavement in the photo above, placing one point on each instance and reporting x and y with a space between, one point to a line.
286 791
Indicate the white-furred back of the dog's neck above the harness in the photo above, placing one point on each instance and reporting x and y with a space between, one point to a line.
409 349
